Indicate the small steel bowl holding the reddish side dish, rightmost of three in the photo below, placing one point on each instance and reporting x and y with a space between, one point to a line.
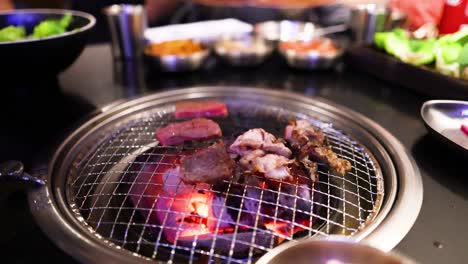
311 60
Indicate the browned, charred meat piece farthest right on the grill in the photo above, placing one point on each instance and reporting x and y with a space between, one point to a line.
310 143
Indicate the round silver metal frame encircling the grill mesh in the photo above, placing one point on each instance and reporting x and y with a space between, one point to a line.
394 158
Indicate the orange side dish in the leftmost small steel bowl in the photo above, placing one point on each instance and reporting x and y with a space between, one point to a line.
175 47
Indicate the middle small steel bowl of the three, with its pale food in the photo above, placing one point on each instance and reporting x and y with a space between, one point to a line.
245 51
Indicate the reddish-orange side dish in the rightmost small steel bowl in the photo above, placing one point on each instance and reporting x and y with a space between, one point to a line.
322 46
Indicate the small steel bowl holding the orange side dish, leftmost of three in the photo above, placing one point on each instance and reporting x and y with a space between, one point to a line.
178 63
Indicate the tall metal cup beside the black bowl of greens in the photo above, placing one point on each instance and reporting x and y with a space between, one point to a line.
127 24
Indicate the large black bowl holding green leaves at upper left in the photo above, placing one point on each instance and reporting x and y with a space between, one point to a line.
48 56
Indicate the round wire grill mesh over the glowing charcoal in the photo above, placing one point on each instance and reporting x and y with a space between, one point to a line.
99 189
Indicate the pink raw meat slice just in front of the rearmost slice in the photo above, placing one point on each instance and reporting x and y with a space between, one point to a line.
195 129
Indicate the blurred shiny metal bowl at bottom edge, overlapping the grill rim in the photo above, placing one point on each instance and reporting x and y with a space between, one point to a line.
330 252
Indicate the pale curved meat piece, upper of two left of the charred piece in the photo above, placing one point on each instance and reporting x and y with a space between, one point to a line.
258 138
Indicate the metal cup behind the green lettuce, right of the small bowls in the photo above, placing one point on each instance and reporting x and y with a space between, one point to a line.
367 19
